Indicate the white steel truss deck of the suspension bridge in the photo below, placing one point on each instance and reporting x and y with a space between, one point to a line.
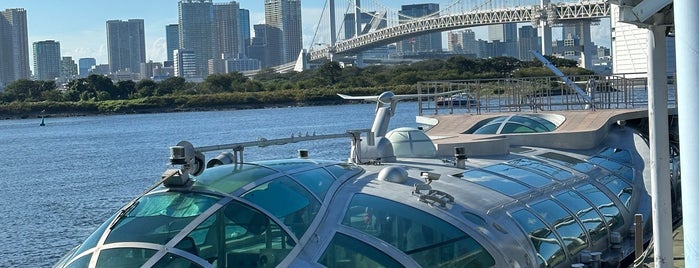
552 14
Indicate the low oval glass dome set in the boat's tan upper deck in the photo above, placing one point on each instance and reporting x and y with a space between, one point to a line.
518 123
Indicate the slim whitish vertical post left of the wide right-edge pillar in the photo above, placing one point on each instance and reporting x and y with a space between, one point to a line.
660 146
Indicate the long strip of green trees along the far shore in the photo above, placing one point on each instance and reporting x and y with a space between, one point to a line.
99 94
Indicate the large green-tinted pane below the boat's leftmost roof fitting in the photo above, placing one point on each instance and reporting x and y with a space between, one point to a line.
159 217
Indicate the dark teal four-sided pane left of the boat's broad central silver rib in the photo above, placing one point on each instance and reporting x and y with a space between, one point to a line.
287 201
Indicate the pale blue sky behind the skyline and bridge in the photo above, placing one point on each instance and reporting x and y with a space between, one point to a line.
79 25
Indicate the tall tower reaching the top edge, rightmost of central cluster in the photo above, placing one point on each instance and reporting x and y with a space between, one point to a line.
285 15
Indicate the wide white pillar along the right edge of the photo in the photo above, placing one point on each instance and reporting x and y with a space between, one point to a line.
687 45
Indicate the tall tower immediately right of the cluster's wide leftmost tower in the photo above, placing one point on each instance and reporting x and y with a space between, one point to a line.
227 30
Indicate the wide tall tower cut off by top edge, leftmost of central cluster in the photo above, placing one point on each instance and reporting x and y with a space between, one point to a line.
196 34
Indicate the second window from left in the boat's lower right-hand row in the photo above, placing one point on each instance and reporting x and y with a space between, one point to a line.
567 228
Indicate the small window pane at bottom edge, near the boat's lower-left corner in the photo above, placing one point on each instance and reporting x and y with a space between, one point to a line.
124 257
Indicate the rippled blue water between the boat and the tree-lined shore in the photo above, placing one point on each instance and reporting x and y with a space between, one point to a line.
60 181
